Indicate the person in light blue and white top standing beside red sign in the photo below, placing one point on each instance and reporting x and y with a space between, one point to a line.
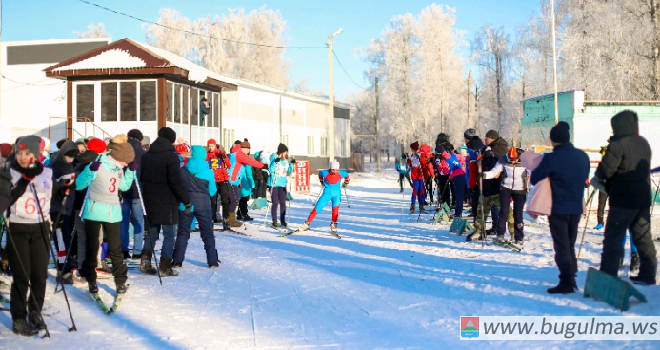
280 168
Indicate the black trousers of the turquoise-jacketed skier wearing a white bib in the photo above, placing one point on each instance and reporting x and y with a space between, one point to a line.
112 235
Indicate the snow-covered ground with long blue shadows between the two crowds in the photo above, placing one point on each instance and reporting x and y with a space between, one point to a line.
389 283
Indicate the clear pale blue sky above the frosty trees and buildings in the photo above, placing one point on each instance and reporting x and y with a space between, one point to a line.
309 22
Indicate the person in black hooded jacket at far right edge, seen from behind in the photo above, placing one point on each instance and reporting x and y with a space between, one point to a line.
624 172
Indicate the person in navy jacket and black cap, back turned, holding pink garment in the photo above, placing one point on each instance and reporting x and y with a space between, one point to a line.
568 170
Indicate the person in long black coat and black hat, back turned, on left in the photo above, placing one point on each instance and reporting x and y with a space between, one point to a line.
163 190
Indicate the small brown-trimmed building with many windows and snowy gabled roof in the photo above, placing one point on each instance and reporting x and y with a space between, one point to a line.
127 84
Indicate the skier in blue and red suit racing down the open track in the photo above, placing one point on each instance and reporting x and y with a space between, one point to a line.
331 182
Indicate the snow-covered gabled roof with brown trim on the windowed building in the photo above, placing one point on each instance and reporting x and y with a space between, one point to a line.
129 57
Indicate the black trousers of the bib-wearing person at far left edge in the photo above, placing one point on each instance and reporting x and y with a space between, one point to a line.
32 253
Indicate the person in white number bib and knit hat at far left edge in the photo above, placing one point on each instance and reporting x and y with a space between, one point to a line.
25 186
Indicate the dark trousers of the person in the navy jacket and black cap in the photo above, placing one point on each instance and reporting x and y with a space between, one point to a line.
563 229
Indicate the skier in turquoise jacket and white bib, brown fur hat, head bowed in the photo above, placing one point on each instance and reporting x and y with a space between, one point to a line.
105 179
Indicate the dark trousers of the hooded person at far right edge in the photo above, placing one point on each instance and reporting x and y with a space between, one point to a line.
638 221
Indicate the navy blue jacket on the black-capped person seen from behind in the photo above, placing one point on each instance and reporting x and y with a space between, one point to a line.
568 170
